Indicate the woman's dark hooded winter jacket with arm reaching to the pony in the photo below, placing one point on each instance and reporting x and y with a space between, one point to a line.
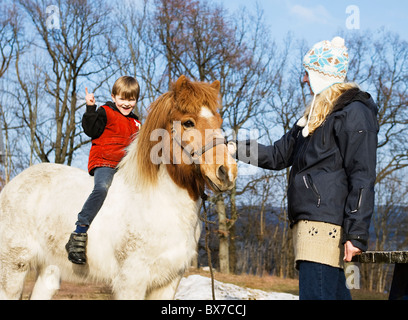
333 170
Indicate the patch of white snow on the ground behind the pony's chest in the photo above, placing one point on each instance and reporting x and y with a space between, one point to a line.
196 287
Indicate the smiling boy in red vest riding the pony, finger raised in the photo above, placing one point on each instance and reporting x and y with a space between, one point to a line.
111 127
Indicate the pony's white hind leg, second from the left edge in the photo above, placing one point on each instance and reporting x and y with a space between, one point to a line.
47 283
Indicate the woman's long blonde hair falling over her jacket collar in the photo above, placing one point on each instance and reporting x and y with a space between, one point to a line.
324 103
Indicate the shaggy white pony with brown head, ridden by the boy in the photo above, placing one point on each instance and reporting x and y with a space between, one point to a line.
145 235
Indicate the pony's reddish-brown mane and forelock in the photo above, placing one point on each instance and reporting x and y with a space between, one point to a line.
184 97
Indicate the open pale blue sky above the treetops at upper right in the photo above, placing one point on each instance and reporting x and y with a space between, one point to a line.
316 20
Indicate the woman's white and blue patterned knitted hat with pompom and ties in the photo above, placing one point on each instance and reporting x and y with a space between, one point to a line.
326 64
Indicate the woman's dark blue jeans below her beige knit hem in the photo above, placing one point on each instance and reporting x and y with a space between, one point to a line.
322 282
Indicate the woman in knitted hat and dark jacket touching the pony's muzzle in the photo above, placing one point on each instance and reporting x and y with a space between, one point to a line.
332 154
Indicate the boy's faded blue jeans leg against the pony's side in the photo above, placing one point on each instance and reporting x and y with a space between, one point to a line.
103 177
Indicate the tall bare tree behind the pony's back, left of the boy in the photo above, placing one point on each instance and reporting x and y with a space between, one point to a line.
74 52
